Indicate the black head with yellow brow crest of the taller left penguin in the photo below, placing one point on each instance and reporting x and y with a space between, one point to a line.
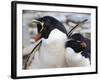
46 24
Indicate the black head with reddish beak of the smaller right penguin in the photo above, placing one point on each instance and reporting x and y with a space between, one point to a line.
76 42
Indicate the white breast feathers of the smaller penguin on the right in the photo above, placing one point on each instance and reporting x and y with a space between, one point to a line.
75 59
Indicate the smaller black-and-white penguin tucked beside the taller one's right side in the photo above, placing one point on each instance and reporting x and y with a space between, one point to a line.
78 51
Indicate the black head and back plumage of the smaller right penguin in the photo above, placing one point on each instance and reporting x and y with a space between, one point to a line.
74 43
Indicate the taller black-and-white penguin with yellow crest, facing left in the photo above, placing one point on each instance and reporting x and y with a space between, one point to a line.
52 50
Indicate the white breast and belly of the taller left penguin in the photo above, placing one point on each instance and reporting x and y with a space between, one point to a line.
52 52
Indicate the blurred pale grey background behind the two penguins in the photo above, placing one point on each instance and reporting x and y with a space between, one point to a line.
68 19
